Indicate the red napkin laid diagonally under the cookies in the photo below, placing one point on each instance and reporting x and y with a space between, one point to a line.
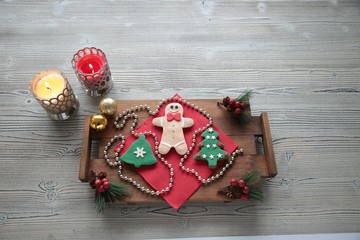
185 184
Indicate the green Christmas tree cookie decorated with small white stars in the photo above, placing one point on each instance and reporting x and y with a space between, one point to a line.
211 148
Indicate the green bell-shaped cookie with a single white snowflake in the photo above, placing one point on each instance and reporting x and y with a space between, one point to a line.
139 153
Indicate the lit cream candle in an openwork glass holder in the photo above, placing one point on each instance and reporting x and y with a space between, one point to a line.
55 95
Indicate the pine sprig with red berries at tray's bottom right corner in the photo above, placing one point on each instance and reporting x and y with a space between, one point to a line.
247 187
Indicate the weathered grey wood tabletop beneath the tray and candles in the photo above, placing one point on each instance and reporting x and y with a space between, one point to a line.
301 58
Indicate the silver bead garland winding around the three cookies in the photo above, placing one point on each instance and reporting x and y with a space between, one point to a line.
130 113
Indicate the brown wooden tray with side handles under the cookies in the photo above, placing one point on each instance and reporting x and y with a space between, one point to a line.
254 138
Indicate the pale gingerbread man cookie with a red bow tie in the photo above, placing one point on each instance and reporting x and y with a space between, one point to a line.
173 123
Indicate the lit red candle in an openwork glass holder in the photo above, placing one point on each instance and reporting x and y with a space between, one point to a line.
93 71
